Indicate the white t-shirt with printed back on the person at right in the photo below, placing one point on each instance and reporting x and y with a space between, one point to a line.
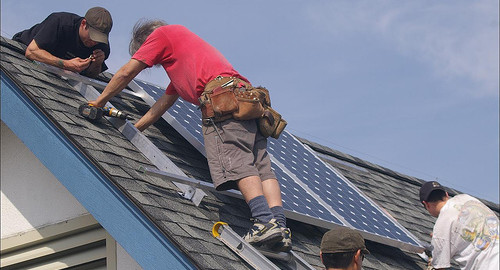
467 231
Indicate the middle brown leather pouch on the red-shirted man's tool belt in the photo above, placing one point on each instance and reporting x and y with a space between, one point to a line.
249 104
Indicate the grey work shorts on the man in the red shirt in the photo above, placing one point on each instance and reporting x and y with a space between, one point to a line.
241 153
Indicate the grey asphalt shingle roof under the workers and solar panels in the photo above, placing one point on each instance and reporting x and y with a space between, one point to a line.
179 219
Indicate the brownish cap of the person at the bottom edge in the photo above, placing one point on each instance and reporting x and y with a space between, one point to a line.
343 239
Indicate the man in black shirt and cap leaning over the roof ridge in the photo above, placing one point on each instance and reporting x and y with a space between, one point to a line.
71 42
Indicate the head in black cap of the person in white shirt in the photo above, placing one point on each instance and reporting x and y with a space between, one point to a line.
433 196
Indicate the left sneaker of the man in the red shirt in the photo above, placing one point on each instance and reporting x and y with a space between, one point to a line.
264 233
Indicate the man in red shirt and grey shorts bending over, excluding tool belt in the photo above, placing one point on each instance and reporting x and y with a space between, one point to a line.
236 151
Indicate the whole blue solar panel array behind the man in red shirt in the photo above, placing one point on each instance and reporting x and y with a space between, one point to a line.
309 186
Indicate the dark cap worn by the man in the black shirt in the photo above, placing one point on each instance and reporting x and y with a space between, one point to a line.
100 24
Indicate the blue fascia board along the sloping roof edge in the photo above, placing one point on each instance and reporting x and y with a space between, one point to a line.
107 204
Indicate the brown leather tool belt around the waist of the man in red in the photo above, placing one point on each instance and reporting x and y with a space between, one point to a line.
230 97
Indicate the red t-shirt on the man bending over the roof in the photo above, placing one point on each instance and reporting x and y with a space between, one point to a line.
189 61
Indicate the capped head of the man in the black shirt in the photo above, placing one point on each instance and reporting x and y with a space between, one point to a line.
95 27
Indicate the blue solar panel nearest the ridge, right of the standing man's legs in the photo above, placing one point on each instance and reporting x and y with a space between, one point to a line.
351 204
